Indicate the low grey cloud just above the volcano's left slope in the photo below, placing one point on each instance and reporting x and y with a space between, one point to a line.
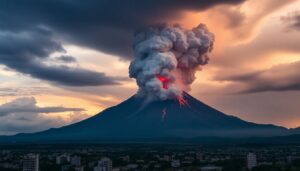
28 105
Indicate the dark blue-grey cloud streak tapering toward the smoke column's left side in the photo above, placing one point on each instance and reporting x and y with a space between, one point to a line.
27 52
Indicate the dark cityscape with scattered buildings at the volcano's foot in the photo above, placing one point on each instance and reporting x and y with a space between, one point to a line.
154 157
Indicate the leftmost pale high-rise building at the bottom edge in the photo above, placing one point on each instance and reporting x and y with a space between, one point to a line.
31 162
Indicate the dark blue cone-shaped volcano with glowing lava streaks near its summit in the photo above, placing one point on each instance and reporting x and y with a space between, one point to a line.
136 119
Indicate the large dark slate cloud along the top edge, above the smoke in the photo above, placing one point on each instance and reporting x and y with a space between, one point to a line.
105 25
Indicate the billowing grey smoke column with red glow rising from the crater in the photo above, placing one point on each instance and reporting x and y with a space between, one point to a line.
166 59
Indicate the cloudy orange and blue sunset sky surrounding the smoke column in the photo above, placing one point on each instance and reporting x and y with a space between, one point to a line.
64 61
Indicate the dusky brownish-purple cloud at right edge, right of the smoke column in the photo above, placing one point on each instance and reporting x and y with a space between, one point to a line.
284 77
